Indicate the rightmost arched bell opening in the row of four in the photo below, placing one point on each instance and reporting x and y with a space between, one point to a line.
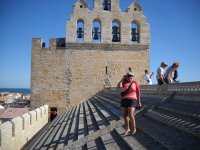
135 34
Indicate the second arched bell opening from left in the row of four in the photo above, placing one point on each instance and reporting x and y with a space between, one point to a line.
96 31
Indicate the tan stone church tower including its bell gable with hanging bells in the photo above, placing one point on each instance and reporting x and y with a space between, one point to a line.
100 45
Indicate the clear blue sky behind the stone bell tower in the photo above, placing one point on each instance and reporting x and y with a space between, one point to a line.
174 24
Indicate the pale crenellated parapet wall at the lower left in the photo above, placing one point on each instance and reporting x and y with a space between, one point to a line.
16 133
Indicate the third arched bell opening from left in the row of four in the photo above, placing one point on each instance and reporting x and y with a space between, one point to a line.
116 31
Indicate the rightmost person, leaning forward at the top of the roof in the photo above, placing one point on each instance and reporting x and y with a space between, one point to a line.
169 74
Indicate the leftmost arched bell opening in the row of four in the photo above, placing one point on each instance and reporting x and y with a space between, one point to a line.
80 31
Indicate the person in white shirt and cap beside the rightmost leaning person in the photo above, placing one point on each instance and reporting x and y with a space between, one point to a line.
160 73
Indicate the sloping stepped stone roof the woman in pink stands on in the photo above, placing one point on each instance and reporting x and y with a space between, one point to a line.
170 120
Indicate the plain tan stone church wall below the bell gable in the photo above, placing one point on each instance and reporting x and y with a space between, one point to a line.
63 76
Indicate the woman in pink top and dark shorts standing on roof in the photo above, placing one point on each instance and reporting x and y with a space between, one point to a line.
129 100
